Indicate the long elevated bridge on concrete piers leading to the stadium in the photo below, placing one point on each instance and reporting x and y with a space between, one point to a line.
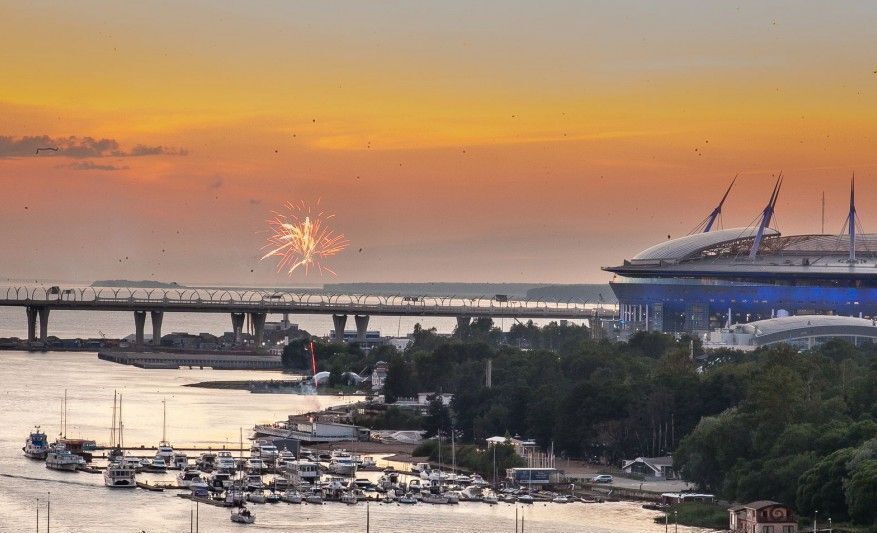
238 303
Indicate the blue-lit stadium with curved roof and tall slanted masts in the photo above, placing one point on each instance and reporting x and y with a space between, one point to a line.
719 277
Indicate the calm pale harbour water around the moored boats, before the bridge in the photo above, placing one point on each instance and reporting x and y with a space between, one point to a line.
32 386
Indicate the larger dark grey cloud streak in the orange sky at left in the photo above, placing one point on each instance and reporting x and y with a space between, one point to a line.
76 147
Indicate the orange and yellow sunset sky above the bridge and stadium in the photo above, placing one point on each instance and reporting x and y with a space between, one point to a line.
500 141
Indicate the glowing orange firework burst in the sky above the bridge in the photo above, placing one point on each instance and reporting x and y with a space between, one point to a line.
301 237
